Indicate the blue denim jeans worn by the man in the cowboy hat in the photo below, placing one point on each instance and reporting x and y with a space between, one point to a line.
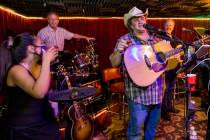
143 115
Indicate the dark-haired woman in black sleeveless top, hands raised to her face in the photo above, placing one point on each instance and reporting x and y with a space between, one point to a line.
29 113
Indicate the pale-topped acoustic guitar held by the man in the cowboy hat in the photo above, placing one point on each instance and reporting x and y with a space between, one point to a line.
146 63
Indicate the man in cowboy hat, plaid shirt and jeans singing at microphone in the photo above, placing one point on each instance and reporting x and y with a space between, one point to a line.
144 103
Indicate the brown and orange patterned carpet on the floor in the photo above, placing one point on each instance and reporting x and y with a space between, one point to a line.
167 130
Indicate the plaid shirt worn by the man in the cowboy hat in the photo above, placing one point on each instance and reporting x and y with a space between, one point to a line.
149 95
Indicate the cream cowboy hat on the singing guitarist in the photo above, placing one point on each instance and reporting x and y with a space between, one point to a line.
134 12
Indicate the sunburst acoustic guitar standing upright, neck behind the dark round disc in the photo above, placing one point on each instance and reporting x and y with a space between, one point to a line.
82 128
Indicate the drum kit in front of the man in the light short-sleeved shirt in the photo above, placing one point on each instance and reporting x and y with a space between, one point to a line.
79 66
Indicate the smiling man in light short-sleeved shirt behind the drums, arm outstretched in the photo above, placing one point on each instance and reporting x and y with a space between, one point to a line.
52 35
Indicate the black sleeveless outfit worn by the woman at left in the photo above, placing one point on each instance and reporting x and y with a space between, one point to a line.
29 118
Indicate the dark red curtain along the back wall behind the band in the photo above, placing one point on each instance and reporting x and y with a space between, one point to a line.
105 30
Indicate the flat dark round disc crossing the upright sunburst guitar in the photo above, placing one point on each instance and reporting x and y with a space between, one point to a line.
74 94
